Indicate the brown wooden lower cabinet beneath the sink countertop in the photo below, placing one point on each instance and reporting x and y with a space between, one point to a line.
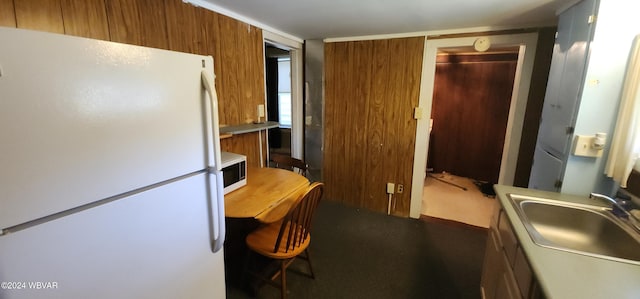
506 273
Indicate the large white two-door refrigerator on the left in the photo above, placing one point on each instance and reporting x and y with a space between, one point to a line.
110 184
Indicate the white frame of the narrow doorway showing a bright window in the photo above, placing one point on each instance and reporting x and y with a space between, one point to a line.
297 70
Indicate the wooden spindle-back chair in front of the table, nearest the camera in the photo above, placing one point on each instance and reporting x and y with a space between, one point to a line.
289 238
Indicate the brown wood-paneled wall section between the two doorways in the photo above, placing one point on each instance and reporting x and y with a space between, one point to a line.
371 89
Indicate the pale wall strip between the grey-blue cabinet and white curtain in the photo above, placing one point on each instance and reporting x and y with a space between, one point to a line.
616 27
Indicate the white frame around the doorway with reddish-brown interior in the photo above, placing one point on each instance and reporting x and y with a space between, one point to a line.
527 42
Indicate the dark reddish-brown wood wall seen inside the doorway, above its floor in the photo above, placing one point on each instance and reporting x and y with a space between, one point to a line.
471 101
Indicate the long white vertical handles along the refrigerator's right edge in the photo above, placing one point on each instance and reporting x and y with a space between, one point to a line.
214 161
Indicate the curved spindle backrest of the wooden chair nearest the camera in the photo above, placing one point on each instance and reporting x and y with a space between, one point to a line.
296 225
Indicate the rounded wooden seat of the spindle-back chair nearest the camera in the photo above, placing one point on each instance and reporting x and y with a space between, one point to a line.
262 241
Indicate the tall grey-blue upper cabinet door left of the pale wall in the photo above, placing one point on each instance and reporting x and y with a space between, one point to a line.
570 53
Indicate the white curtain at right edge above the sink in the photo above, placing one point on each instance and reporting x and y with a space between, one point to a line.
625 145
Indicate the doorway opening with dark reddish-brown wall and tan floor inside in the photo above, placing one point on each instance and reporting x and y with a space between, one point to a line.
471 100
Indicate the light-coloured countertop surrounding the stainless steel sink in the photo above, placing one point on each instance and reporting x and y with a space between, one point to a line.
565 275
